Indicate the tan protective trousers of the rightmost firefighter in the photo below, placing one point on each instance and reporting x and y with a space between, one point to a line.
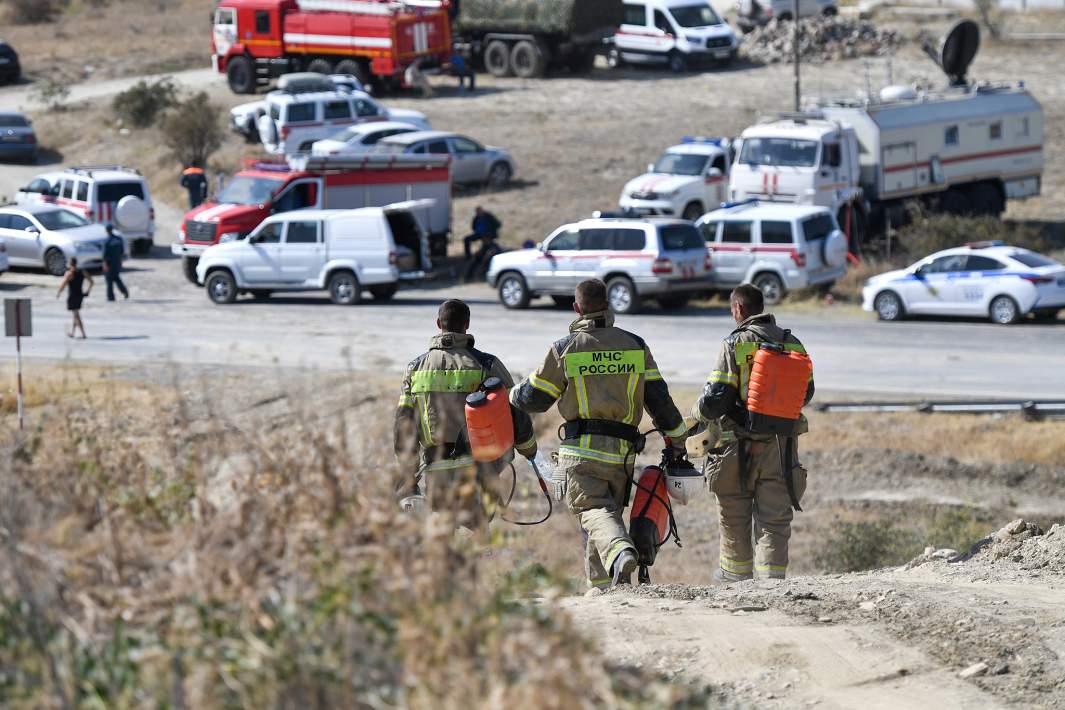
747 478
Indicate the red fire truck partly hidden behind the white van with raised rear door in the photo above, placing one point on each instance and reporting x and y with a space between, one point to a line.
264 189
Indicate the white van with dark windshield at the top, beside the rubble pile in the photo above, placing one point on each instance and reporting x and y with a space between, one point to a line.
679 34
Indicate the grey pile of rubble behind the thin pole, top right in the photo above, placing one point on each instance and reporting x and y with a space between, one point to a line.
821 40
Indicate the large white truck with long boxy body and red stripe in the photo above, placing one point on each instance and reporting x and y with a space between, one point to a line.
963 151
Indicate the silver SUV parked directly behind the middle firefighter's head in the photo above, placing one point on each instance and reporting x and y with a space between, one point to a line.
656 258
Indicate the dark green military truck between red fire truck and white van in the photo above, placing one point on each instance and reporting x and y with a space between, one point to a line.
530 38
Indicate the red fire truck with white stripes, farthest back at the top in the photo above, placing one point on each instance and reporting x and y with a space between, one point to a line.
255 41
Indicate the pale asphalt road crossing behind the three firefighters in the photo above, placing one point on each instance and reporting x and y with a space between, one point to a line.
170 321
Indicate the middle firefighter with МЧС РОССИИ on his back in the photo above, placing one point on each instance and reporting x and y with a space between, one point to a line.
602 378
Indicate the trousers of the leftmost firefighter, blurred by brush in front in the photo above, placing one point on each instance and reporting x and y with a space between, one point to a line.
468 492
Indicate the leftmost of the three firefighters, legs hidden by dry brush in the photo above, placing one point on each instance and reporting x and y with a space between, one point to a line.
431 431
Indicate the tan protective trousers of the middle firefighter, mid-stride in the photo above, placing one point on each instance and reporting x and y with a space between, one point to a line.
596 494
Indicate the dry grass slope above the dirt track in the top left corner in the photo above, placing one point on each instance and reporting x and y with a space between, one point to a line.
121 39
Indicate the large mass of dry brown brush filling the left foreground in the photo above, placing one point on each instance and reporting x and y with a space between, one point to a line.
202 564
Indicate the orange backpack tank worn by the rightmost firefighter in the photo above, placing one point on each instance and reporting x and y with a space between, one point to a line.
778 389
